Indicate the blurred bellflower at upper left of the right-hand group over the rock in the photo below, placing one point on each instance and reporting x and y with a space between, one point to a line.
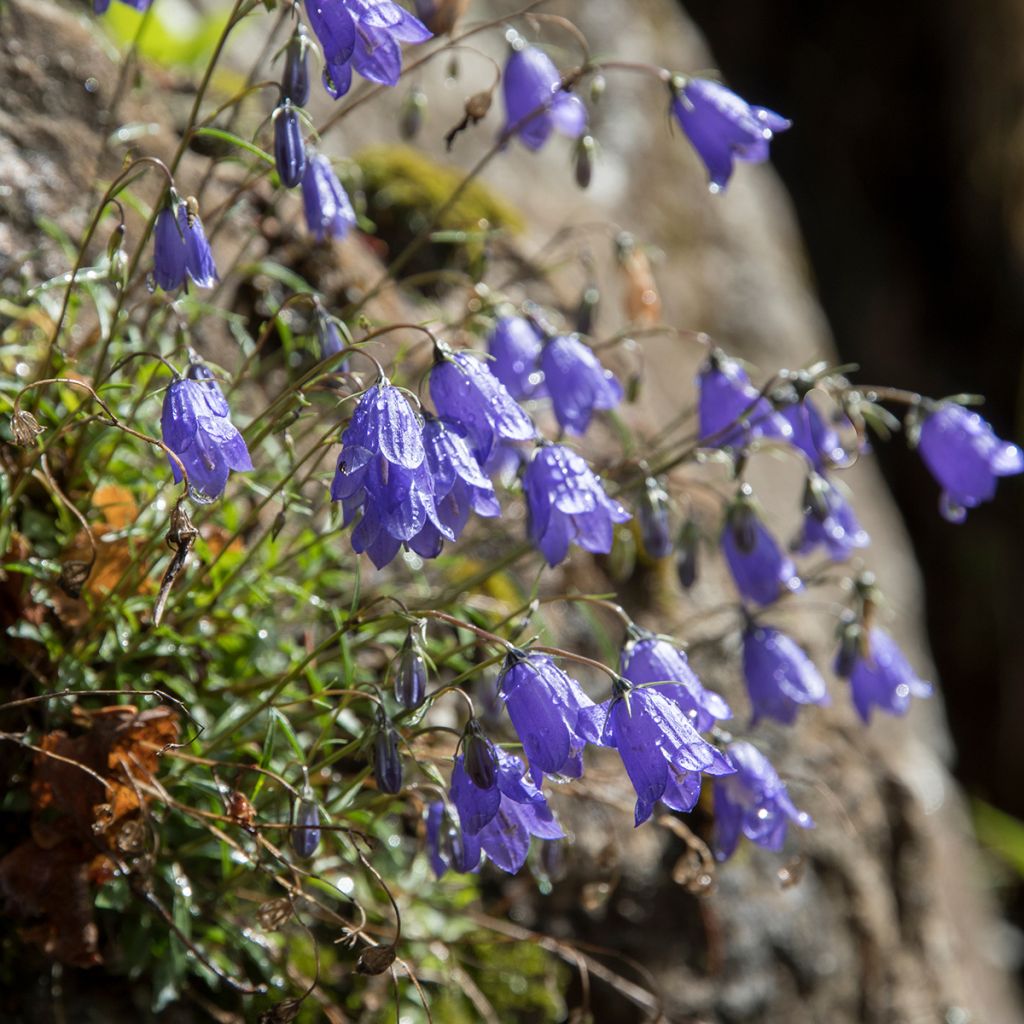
733 413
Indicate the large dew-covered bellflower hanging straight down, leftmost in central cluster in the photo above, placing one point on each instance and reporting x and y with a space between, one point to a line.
382 473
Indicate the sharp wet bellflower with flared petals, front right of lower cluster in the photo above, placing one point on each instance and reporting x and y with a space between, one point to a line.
663 753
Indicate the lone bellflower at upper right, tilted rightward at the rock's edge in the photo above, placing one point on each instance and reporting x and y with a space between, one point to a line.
723 127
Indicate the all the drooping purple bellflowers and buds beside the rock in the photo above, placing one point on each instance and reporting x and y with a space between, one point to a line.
412 473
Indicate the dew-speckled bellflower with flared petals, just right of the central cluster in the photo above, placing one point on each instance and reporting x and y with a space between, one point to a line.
568 505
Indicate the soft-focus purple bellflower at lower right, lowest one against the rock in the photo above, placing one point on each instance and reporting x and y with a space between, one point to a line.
754 802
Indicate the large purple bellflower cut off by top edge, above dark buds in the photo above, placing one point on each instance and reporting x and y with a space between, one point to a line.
365 34
